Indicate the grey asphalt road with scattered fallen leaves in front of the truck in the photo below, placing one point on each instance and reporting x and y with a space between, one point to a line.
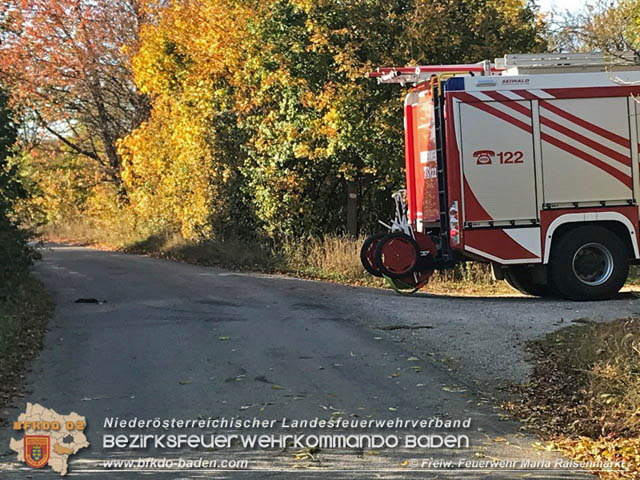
172 340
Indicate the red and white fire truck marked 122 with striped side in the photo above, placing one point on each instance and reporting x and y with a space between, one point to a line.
529 163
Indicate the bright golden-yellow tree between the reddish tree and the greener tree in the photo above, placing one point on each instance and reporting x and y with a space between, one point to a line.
181 166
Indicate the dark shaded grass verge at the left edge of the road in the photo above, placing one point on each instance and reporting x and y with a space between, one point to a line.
24 315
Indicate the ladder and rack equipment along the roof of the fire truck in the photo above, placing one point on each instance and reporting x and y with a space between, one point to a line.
513 64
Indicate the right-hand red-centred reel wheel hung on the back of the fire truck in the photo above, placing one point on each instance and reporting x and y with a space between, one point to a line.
397 255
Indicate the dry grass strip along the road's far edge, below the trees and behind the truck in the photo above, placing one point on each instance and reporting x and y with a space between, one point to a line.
331 258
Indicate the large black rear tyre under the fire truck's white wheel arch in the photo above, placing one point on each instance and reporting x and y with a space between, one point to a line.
589 263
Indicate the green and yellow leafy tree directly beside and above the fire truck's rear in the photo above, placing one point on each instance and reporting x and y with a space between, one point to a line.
317 125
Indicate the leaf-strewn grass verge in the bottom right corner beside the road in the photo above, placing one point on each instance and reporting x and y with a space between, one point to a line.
584 396
